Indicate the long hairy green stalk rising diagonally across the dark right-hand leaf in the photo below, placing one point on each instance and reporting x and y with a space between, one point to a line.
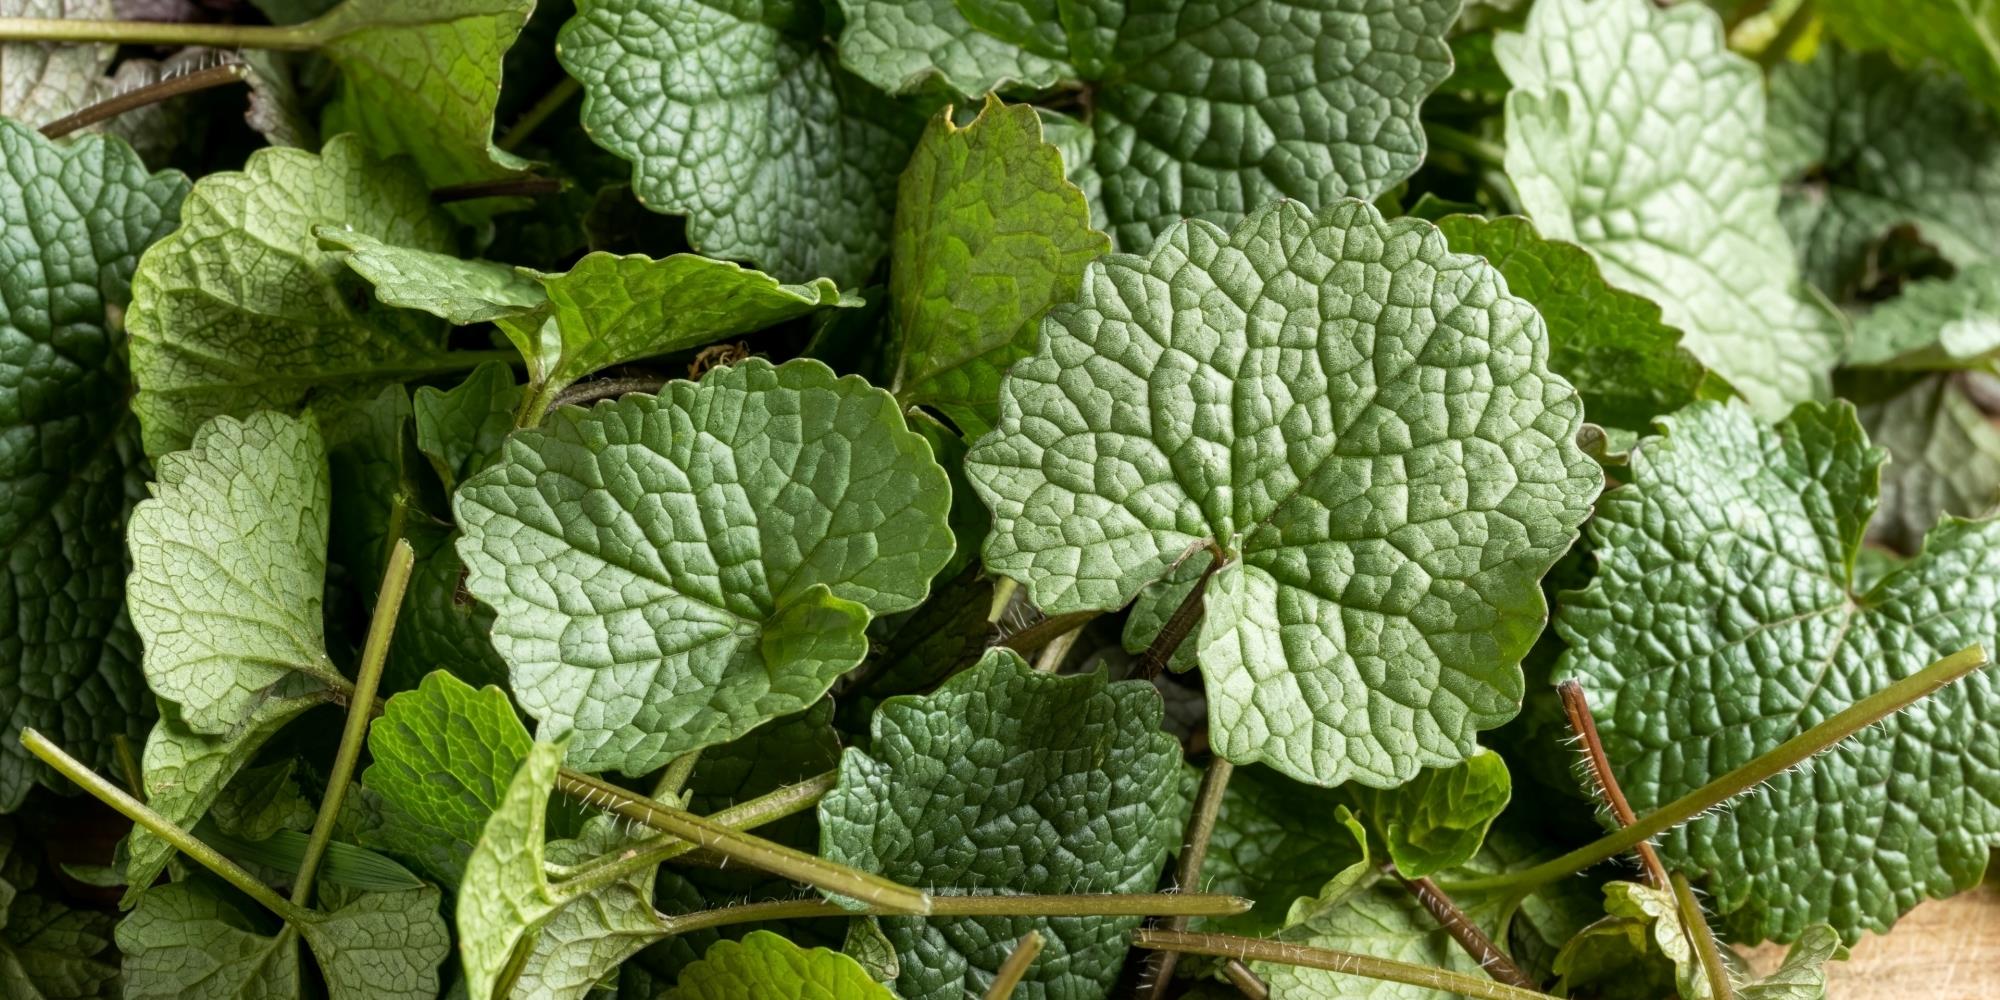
1789 755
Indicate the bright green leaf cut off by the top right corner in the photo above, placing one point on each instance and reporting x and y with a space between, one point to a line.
1953 33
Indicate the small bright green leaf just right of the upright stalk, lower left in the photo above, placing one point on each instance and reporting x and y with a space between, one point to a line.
443 757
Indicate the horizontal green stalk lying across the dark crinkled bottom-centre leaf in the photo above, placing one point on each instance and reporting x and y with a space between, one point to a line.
1027 905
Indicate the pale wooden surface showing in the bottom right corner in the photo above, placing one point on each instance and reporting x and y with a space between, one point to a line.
1941 951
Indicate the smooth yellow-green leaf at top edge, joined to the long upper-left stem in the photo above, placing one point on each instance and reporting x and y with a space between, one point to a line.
421 79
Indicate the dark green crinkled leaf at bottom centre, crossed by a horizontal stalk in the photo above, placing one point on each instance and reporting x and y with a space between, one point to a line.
1011 781
